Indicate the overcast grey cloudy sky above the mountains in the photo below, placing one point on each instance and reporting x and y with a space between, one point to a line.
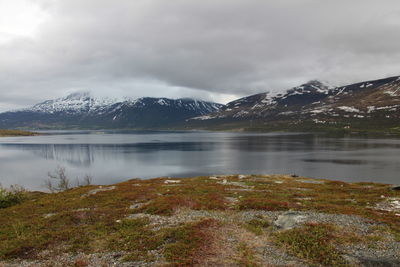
212 50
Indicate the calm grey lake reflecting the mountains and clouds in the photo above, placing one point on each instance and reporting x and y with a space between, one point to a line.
112 156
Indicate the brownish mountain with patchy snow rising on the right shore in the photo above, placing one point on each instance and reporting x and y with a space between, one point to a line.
360 105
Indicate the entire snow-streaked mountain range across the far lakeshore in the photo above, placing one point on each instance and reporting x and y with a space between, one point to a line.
365 106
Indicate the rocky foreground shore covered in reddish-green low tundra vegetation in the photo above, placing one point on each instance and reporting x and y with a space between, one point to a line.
234 220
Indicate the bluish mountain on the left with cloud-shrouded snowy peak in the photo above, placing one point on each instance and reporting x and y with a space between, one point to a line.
81 110
